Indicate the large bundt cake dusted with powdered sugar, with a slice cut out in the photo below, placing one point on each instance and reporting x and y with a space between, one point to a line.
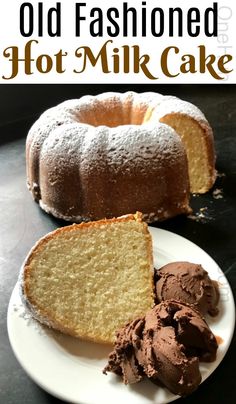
112 154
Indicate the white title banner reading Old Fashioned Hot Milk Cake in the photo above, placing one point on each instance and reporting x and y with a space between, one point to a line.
114 41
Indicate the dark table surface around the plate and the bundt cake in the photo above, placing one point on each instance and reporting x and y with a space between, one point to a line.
22 222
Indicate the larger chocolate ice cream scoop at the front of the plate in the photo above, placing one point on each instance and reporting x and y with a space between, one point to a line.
165 345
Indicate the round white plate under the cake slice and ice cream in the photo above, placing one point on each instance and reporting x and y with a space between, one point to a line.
71 369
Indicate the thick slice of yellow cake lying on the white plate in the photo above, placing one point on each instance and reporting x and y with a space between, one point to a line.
87 280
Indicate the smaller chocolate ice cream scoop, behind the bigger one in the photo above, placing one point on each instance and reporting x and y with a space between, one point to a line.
188 283
